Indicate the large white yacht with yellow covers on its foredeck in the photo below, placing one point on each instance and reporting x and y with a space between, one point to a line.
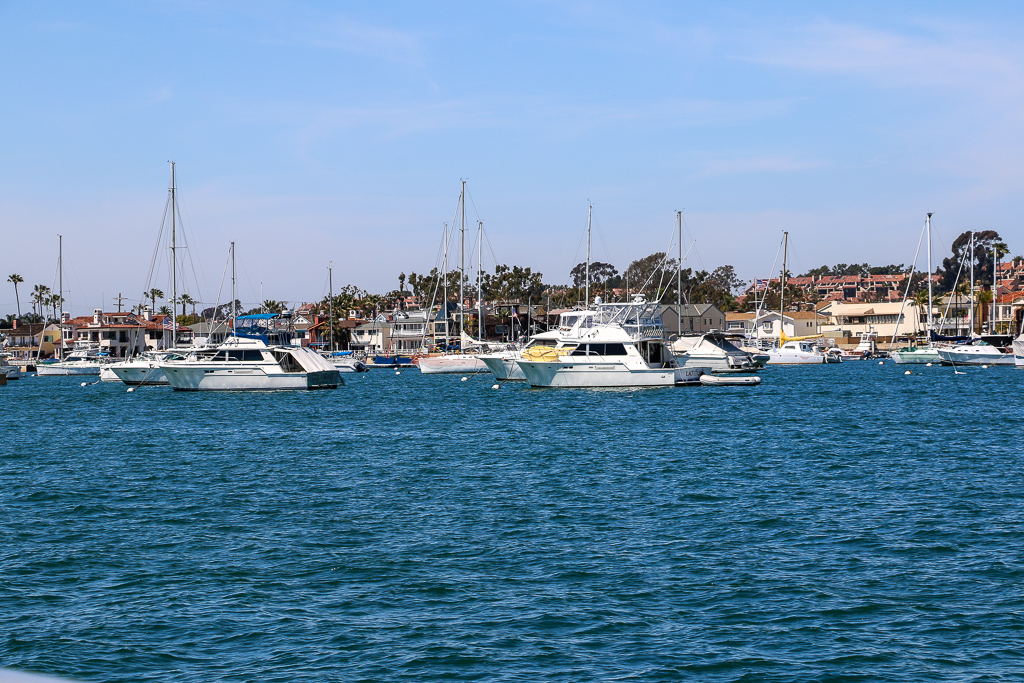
617 346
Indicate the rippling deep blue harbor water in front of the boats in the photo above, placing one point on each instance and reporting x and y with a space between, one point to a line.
837 524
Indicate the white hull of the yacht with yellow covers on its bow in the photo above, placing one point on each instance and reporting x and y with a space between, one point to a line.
598 375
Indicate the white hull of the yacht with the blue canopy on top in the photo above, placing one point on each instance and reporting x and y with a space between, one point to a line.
185 378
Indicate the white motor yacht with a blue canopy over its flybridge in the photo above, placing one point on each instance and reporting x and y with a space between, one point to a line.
259 358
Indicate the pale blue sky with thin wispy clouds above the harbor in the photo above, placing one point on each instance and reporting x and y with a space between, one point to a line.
313 133
